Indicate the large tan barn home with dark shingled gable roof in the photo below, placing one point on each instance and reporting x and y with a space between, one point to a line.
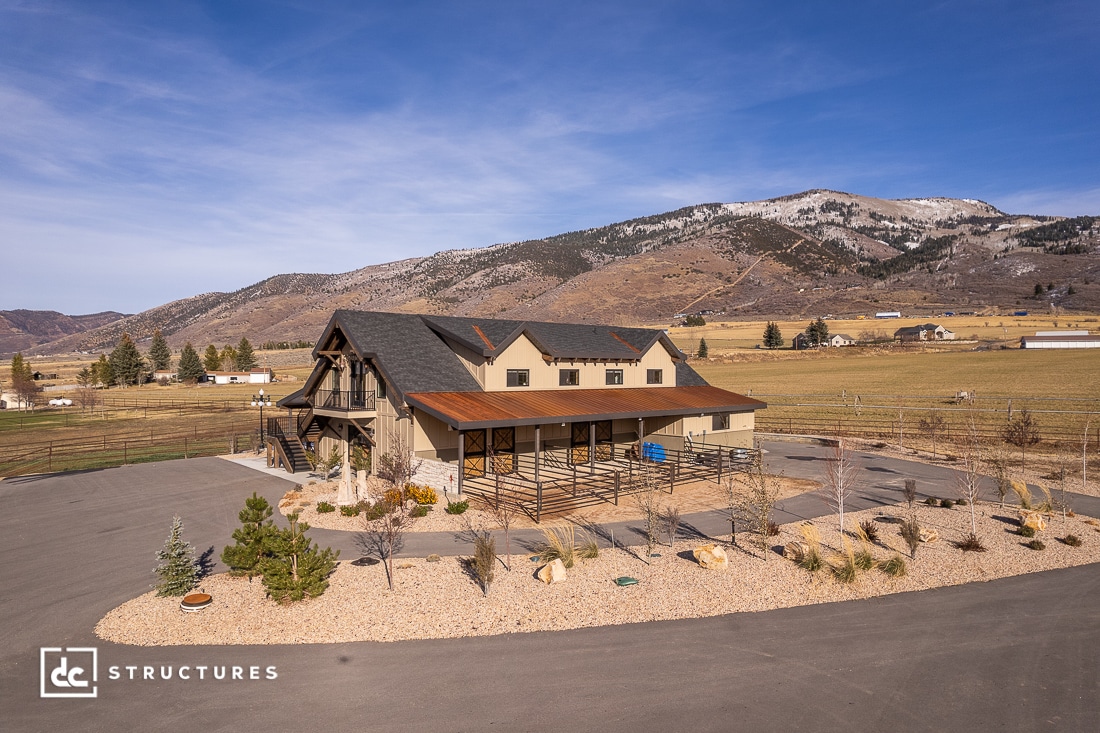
476 399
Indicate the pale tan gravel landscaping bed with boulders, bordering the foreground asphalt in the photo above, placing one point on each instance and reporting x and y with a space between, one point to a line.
441 600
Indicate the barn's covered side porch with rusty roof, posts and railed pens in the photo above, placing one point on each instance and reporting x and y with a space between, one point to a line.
548 451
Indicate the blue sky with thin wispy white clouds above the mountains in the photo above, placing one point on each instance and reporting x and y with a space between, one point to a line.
155 151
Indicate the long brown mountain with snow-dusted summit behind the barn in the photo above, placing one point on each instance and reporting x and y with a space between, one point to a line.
812 254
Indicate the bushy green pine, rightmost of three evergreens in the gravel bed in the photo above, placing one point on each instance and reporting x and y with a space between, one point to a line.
299 568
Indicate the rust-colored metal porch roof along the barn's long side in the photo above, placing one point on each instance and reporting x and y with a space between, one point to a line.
470 411
